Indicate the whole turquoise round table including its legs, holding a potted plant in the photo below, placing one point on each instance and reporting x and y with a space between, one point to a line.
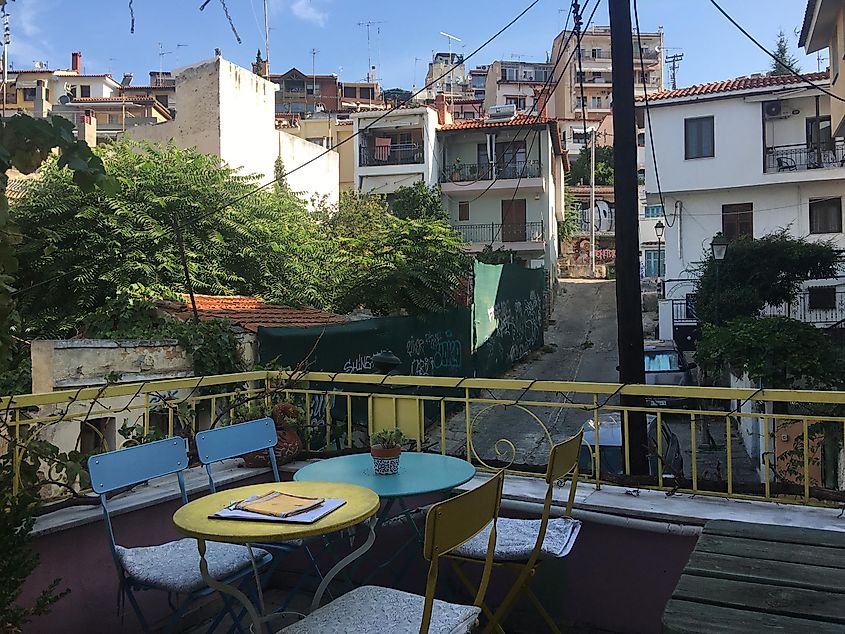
419 474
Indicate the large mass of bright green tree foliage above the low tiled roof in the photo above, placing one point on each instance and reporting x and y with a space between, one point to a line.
82 249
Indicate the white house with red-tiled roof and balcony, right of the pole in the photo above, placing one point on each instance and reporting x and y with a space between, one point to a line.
748 156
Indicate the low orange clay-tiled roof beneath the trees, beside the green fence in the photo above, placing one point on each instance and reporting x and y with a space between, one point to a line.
250 312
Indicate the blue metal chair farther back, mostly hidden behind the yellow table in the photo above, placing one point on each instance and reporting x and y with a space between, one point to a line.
232 441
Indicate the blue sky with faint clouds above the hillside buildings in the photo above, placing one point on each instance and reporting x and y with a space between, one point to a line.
402 45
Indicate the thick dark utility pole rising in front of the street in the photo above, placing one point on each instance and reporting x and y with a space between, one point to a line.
629 315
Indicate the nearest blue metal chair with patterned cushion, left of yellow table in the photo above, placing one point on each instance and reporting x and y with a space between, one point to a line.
172 567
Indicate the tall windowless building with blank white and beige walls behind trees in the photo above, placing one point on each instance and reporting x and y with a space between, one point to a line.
229 111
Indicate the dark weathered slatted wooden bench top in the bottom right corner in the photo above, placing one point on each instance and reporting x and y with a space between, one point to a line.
759 578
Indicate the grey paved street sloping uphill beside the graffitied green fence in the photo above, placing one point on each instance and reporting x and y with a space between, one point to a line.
580 346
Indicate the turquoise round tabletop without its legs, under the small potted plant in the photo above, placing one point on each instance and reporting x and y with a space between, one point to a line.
419 473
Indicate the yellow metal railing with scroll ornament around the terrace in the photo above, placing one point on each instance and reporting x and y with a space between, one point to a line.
341 410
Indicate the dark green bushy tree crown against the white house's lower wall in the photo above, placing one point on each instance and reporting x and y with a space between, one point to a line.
760 272
